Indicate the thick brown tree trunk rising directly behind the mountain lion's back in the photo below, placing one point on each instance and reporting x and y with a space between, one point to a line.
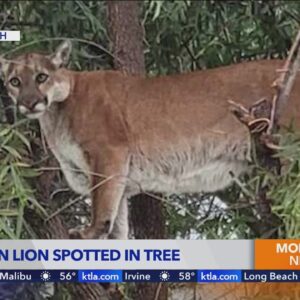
147 217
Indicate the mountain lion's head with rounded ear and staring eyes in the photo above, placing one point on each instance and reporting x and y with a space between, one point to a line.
34 82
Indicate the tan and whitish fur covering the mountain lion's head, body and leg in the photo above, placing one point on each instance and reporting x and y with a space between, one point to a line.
171 134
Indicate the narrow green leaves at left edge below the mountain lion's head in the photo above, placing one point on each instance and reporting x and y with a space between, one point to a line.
15 175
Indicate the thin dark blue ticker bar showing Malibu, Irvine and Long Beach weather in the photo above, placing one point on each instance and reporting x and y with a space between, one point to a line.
201 276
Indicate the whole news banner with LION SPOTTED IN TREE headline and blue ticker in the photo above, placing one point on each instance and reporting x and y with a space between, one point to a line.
200 261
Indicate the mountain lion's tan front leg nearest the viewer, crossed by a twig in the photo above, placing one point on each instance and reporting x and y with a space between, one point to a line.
107 194
